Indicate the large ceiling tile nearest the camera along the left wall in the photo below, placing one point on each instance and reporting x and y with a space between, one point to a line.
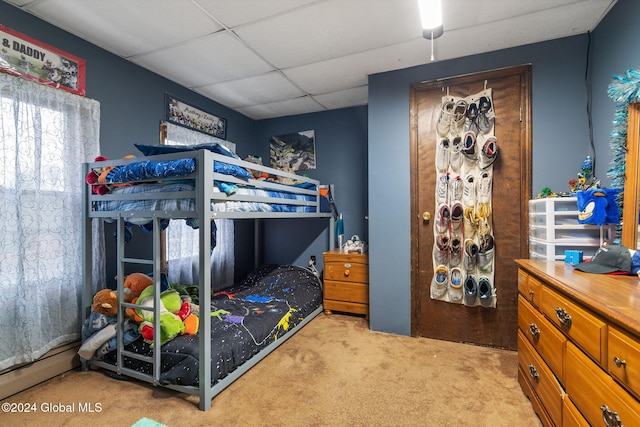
127 27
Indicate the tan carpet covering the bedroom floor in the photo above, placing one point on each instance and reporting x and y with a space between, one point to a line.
334 372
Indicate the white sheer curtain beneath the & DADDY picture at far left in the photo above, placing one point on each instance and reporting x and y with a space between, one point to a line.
45 136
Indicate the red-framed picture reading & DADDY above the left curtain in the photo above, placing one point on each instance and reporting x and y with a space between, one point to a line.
23 56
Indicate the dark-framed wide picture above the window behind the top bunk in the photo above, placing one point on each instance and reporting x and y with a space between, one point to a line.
181 113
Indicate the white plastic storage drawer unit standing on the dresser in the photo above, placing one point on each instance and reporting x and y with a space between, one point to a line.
554 229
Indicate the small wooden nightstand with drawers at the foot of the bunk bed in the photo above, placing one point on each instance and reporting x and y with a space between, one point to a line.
346 282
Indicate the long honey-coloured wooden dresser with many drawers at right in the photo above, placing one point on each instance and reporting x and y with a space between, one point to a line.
579 345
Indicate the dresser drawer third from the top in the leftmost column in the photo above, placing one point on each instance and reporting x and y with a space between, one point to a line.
541 379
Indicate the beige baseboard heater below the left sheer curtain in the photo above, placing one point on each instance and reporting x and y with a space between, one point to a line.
55 362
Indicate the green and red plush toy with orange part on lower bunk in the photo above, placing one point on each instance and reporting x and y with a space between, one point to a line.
175 316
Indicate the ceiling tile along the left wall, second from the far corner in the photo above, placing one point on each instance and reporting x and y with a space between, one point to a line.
262 89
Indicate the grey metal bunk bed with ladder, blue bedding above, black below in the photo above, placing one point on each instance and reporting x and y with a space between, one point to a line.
199 185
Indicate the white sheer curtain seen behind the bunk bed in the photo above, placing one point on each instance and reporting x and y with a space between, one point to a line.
182 240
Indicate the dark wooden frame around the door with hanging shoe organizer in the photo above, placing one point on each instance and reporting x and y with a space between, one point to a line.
525 170
